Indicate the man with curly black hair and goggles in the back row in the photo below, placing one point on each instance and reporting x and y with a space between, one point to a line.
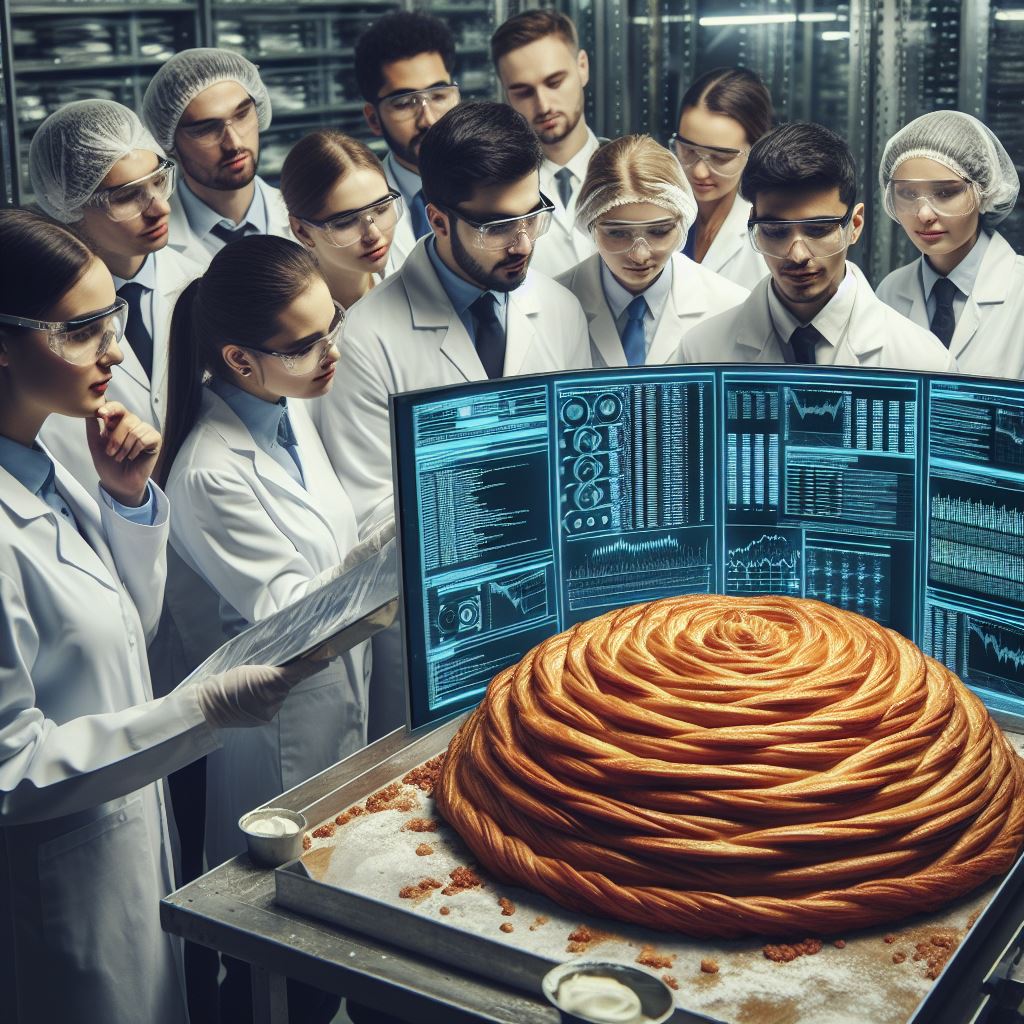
404 66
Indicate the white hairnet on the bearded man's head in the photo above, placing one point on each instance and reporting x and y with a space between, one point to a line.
188 74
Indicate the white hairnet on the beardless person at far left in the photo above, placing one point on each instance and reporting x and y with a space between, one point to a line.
74 150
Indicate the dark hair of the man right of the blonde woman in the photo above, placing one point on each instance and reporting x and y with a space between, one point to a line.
799 157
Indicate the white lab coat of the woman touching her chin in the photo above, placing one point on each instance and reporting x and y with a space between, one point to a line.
84 848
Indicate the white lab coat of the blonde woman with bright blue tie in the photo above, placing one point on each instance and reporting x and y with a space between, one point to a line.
697 294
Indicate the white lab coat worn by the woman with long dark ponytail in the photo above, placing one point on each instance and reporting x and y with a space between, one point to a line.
260 538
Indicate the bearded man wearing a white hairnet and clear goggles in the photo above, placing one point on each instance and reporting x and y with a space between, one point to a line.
207 108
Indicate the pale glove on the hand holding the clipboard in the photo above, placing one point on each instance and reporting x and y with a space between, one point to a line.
249 695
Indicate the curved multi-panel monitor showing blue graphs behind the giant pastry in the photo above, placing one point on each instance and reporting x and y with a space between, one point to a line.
528 505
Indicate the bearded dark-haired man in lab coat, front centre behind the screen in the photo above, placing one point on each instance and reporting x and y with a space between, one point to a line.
462 308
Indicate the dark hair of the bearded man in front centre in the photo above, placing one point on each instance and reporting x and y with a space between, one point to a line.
477 144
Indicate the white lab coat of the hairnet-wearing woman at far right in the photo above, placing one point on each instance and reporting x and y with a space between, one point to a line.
990 335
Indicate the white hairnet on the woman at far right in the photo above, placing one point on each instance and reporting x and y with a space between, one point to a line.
968 148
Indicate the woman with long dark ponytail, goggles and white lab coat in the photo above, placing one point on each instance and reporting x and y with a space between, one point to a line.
259 513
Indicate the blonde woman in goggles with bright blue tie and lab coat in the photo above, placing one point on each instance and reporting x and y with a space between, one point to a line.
641 294
